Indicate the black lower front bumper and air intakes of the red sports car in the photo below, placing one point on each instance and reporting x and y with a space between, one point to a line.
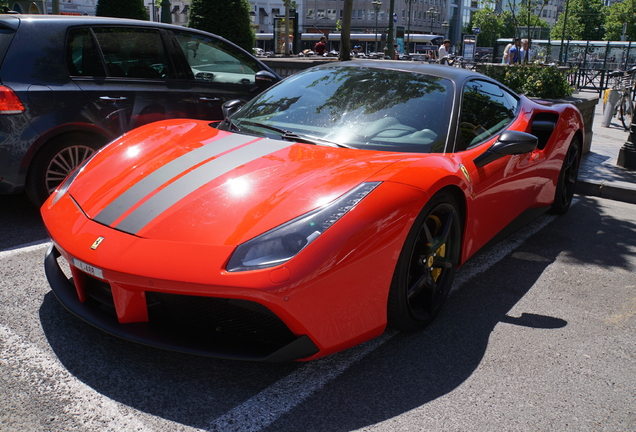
164 331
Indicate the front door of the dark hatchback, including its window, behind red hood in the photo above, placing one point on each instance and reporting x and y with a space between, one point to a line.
217 70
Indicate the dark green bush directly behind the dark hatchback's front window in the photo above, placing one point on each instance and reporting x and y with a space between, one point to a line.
227 18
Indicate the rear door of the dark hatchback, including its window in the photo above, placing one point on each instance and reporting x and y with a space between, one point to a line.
128 75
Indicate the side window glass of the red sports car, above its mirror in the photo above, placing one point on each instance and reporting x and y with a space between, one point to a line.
486 110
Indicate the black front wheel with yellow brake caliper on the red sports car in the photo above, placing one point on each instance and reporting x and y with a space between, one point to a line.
426 266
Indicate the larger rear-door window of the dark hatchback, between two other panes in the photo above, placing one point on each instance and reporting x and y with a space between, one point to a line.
133 52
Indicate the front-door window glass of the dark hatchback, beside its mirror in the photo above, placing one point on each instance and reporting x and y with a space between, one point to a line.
213 60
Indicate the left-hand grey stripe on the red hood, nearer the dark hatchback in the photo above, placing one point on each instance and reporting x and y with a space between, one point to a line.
160 176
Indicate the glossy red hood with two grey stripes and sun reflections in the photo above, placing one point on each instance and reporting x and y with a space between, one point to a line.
182 180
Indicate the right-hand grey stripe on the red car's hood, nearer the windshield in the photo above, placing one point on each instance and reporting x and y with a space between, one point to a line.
174 192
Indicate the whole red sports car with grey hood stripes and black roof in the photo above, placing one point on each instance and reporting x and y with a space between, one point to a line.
337 202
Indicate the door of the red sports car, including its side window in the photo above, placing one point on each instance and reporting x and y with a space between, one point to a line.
507 184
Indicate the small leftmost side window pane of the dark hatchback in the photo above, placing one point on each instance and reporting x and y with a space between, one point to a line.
82 56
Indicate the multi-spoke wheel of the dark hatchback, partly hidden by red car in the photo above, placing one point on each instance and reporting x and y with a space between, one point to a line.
56 160
